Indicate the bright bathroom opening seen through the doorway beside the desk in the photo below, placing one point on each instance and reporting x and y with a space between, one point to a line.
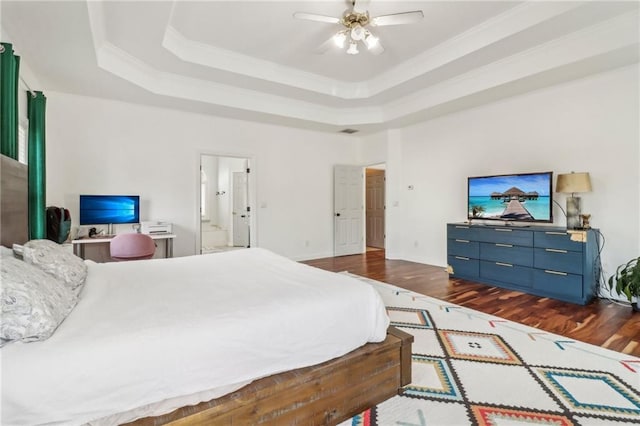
224 203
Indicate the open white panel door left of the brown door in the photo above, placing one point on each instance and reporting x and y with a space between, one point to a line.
348 210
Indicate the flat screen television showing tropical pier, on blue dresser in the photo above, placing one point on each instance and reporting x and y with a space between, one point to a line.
523 197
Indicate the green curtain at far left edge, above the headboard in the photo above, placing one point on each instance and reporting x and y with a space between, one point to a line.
9 74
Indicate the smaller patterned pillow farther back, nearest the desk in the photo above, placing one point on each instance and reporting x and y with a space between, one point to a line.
54 259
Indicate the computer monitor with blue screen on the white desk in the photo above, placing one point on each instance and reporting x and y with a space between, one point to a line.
109 209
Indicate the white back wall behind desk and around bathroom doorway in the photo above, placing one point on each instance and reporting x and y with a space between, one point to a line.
101 146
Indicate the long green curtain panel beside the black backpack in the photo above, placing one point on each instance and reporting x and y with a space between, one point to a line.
36 103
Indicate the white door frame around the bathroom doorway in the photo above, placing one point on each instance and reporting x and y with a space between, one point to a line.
252 195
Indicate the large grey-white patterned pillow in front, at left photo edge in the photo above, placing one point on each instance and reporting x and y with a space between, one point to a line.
33 303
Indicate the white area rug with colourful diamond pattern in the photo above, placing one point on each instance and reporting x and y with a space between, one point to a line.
470 368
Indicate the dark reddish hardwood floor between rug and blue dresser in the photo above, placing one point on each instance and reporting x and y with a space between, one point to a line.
601 323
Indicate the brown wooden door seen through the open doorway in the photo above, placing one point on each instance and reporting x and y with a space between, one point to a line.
375 207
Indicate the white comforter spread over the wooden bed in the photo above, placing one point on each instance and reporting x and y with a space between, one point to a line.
149 336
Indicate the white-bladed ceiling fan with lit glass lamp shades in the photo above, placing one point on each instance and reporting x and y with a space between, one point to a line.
356 21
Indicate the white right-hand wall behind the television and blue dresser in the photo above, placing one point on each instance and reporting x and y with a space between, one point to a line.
588 125
